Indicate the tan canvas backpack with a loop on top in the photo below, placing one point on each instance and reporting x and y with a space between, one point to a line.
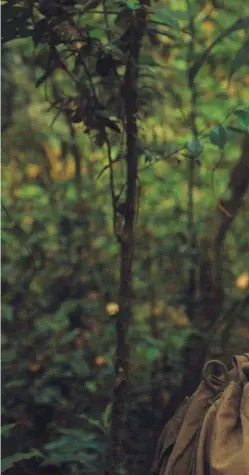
209 434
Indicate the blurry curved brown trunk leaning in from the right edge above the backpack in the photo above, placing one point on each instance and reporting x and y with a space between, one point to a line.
211 279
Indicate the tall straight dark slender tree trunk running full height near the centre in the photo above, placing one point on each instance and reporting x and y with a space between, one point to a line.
121 391
